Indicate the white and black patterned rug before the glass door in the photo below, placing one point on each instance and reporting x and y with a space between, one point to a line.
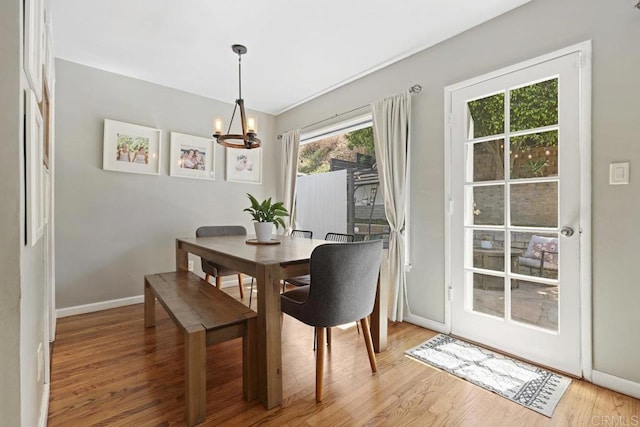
530 386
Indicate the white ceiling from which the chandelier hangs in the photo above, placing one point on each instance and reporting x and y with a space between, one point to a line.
297 50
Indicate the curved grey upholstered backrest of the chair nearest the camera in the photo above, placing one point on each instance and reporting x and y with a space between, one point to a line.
344 278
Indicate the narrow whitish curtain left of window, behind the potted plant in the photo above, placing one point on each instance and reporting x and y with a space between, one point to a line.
290 148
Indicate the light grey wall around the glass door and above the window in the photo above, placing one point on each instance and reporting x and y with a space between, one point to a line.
536 28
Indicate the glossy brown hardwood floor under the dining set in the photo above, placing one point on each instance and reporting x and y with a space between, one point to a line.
109 370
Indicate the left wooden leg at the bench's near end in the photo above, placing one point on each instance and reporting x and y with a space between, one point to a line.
195 376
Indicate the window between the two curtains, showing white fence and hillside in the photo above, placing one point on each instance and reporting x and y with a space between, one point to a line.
338 186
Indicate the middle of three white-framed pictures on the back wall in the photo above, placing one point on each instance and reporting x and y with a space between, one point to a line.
192 156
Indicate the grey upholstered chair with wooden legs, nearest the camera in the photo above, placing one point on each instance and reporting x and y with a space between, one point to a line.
343 285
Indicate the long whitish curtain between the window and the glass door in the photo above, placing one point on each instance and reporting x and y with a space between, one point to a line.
391 119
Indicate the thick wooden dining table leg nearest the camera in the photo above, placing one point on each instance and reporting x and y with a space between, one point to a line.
269 336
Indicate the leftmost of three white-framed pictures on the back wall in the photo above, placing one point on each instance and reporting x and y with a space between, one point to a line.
131 148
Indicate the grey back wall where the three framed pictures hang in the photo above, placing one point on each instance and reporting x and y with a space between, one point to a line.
112 228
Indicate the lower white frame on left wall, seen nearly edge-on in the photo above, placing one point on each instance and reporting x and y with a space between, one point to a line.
35 169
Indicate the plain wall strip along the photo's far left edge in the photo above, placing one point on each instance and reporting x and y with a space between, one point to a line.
10 210
